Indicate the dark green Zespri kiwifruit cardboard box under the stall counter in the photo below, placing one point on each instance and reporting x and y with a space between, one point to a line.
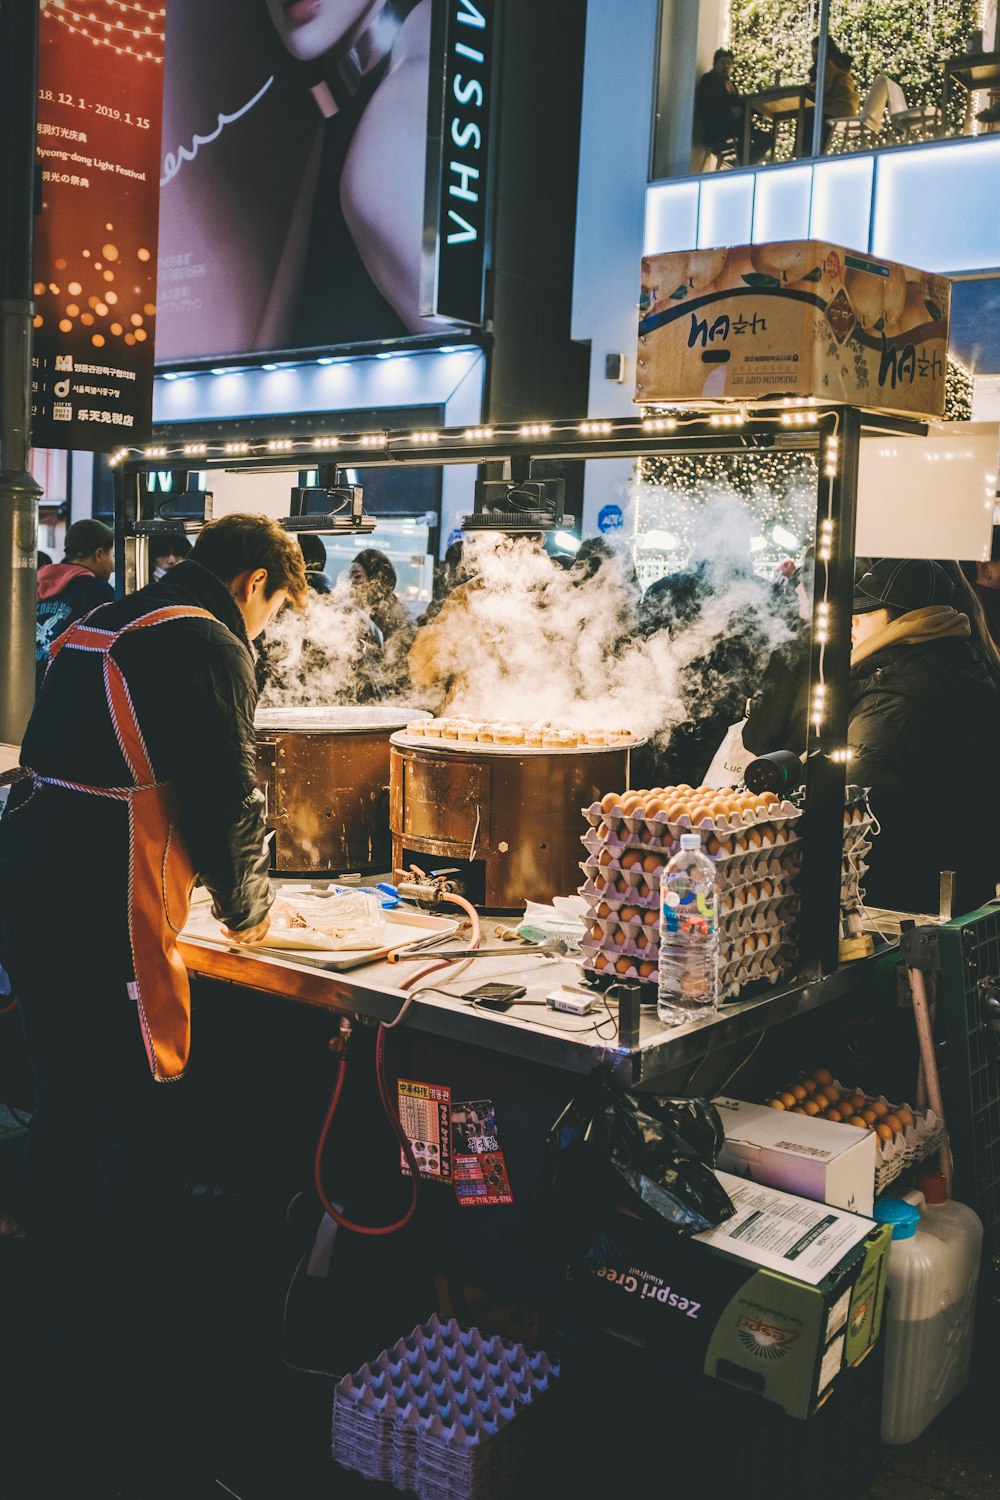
777 1301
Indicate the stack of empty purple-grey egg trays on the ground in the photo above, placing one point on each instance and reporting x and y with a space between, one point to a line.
436 1414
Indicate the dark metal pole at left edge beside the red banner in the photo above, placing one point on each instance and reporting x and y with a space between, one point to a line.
19 490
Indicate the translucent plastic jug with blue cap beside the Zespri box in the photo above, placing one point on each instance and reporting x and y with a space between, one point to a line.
933 1277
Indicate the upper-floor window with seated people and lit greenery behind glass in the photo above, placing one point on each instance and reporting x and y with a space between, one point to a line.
896 73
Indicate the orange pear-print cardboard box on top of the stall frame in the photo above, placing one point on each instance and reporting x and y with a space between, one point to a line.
800 319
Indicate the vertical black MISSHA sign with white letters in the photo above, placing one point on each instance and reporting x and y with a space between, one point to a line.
458 161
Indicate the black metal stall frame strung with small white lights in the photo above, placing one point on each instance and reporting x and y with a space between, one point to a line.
828 430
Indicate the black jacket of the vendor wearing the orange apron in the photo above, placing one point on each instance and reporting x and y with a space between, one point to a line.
194 694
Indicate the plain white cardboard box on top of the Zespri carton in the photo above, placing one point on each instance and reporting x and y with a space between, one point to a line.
815 1159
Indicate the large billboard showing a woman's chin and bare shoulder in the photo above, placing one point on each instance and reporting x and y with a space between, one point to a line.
295 170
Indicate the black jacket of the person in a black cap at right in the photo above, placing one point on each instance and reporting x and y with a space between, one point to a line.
924 731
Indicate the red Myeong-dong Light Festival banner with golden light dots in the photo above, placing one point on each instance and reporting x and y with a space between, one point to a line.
100 98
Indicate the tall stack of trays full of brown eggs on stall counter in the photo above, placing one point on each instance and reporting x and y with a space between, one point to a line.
756 850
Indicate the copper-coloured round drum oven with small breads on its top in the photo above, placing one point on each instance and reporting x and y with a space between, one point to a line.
509 820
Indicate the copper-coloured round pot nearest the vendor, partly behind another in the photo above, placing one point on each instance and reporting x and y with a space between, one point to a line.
325 775
